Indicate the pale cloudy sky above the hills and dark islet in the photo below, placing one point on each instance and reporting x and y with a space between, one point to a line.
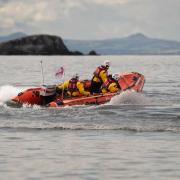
91 19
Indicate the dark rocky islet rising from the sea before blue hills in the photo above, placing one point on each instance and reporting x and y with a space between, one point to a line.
36 45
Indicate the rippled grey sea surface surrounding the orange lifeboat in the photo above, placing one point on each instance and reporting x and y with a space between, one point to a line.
135 136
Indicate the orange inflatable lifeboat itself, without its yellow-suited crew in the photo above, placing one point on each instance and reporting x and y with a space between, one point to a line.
47 96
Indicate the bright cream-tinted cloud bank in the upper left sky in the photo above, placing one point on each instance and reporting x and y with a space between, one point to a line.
13 11
